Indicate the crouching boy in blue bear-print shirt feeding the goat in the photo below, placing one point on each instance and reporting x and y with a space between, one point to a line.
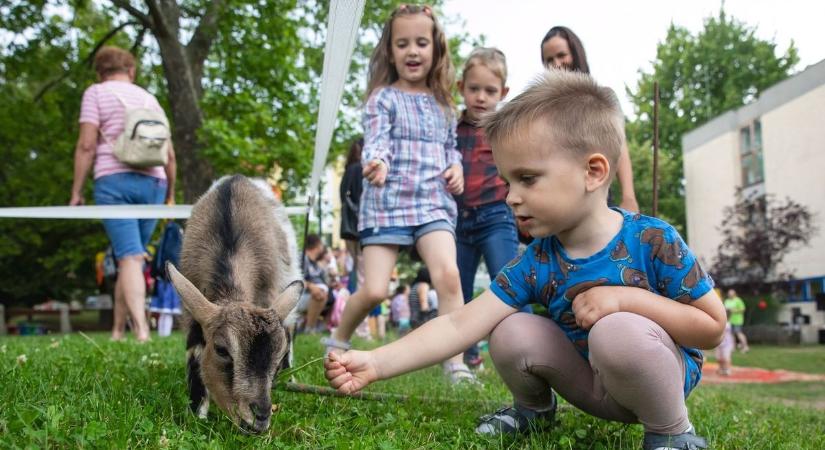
628 304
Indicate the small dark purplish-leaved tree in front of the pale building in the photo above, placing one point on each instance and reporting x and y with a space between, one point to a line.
758 231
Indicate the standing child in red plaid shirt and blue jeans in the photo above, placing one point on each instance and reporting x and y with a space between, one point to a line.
486 226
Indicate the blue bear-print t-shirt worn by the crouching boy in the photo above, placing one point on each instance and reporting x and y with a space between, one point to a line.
647 253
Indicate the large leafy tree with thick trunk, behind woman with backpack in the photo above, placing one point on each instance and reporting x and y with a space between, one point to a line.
240 81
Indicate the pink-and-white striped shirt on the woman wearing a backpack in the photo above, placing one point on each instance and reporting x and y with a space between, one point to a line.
101 108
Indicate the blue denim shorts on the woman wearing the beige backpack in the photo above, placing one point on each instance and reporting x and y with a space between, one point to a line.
129 236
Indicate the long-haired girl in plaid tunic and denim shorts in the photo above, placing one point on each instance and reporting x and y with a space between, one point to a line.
410 167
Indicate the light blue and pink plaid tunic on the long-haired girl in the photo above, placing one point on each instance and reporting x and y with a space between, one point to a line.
413 135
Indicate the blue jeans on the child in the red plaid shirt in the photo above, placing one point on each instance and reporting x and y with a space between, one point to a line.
488 231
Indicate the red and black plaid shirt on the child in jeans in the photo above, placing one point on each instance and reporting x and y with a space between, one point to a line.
482 185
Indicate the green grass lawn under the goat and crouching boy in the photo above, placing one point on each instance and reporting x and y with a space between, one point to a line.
73 393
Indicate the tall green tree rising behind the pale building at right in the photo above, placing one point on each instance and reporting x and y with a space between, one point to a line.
700 76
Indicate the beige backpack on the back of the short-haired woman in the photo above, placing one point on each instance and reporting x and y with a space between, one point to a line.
145 139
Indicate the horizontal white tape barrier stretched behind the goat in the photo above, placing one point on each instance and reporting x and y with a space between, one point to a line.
112 212
